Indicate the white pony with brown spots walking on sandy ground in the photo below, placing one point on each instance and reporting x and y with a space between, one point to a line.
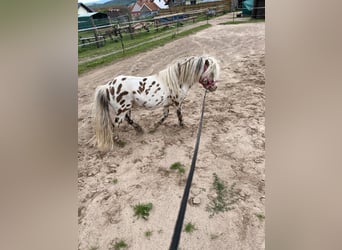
169 87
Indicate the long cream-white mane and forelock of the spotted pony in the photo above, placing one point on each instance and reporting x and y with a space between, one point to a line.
188 71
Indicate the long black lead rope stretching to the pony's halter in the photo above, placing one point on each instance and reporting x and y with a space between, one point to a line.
181 214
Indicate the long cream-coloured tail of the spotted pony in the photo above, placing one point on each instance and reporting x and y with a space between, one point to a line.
103 123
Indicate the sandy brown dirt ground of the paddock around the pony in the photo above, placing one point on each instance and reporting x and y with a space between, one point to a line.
232 146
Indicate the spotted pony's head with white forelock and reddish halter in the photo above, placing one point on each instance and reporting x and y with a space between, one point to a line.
210 73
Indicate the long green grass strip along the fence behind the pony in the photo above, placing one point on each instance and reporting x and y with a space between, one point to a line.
84 67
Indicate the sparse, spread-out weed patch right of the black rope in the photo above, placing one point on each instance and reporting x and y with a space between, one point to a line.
225 197
